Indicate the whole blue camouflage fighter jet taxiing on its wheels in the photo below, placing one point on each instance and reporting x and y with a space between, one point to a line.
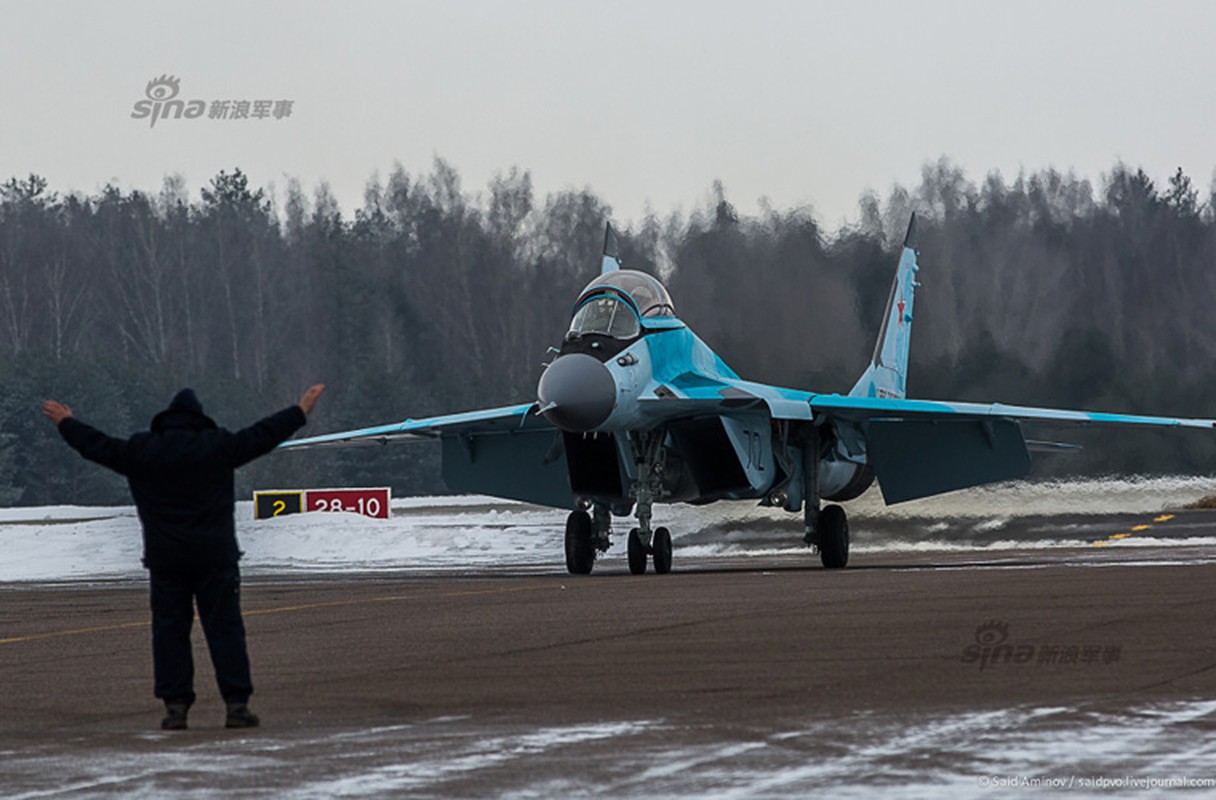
635 410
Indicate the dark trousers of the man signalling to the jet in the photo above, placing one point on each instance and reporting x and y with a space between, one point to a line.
218 594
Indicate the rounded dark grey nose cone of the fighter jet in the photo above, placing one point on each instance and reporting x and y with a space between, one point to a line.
577 393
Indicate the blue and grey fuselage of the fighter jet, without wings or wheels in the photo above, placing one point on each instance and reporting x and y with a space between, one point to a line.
623 375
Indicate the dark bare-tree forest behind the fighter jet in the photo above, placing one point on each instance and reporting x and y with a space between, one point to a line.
431 298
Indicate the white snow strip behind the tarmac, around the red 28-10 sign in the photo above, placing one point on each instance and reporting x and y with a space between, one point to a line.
75 543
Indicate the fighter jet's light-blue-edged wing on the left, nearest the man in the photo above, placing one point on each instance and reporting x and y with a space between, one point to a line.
486 422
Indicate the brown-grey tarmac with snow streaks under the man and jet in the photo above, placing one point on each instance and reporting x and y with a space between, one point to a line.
740 677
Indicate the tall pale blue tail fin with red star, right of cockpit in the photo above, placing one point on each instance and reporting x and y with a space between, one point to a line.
887 375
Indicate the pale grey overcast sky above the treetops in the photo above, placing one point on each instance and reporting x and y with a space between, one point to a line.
645 103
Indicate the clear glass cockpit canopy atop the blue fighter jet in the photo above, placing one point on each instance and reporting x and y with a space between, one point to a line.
615 303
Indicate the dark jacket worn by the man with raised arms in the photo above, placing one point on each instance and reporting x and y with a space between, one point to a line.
181 474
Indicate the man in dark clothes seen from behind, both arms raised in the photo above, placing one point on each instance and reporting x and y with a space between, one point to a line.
181 476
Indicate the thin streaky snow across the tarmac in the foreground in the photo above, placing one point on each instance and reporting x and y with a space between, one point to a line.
922 756
